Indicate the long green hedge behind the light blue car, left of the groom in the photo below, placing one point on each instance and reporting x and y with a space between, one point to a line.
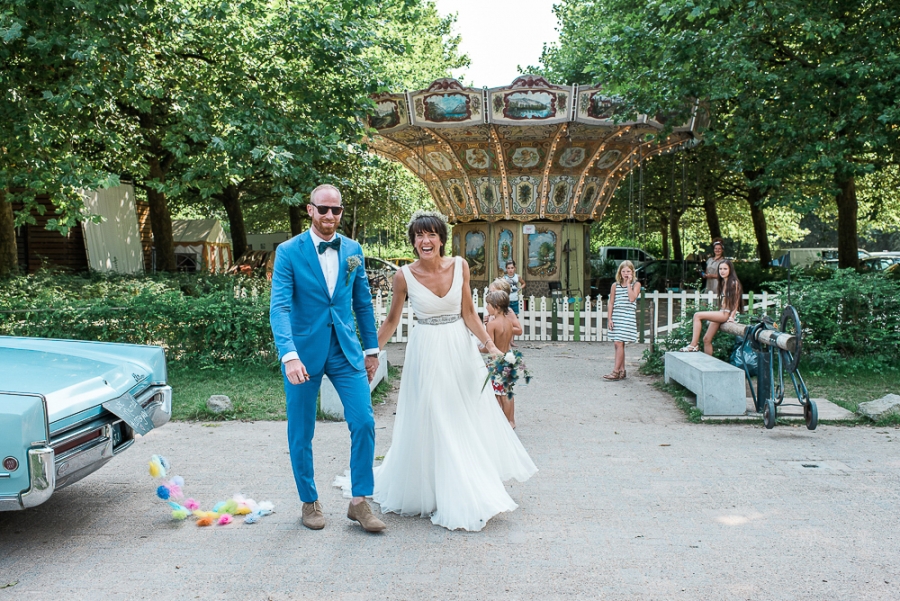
200 320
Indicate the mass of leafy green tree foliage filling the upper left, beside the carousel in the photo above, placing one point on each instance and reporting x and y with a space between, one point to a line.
199 99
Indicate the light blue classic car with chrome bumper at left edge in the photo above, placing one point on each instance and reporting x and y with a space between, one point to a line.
67 407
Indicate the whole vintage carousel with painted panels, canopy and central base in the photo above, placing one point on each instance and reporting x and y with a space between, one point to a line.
520 171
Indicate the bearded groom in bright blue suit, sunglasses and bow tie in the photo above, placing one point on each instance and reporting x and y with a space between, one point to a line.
318 285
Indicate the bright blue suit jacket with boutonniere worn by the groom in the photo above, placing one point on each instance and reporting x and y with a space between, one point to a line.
303 315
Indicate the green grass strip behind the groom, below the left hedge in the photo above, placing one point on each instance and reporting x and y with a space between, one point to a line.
257 393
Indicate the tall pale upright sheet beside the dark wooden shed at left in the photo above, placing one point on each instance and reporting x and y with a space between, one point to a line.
114 244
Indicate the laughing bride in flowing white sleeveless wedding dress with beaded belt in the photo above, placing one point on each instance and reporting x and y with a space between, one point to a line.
452 448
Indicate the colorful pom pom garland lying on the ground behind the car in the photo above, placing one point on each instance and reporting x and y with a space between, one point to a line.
223 512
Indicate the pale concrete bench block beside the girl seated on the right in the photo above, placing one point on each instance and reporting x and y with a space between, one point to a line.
719 386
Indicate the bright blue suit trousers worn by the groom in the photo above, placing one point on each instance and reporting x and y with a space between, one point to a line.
352 386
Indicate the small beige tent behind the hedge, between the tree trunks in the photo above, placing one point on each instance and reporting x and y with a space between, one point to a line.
201 245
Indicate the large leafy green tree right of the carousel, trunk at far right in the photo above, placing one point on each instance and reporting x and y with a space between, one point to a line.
795 90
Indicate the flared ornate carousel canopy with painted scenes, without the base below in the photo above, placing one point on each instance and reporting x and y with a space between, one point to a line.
529 151
